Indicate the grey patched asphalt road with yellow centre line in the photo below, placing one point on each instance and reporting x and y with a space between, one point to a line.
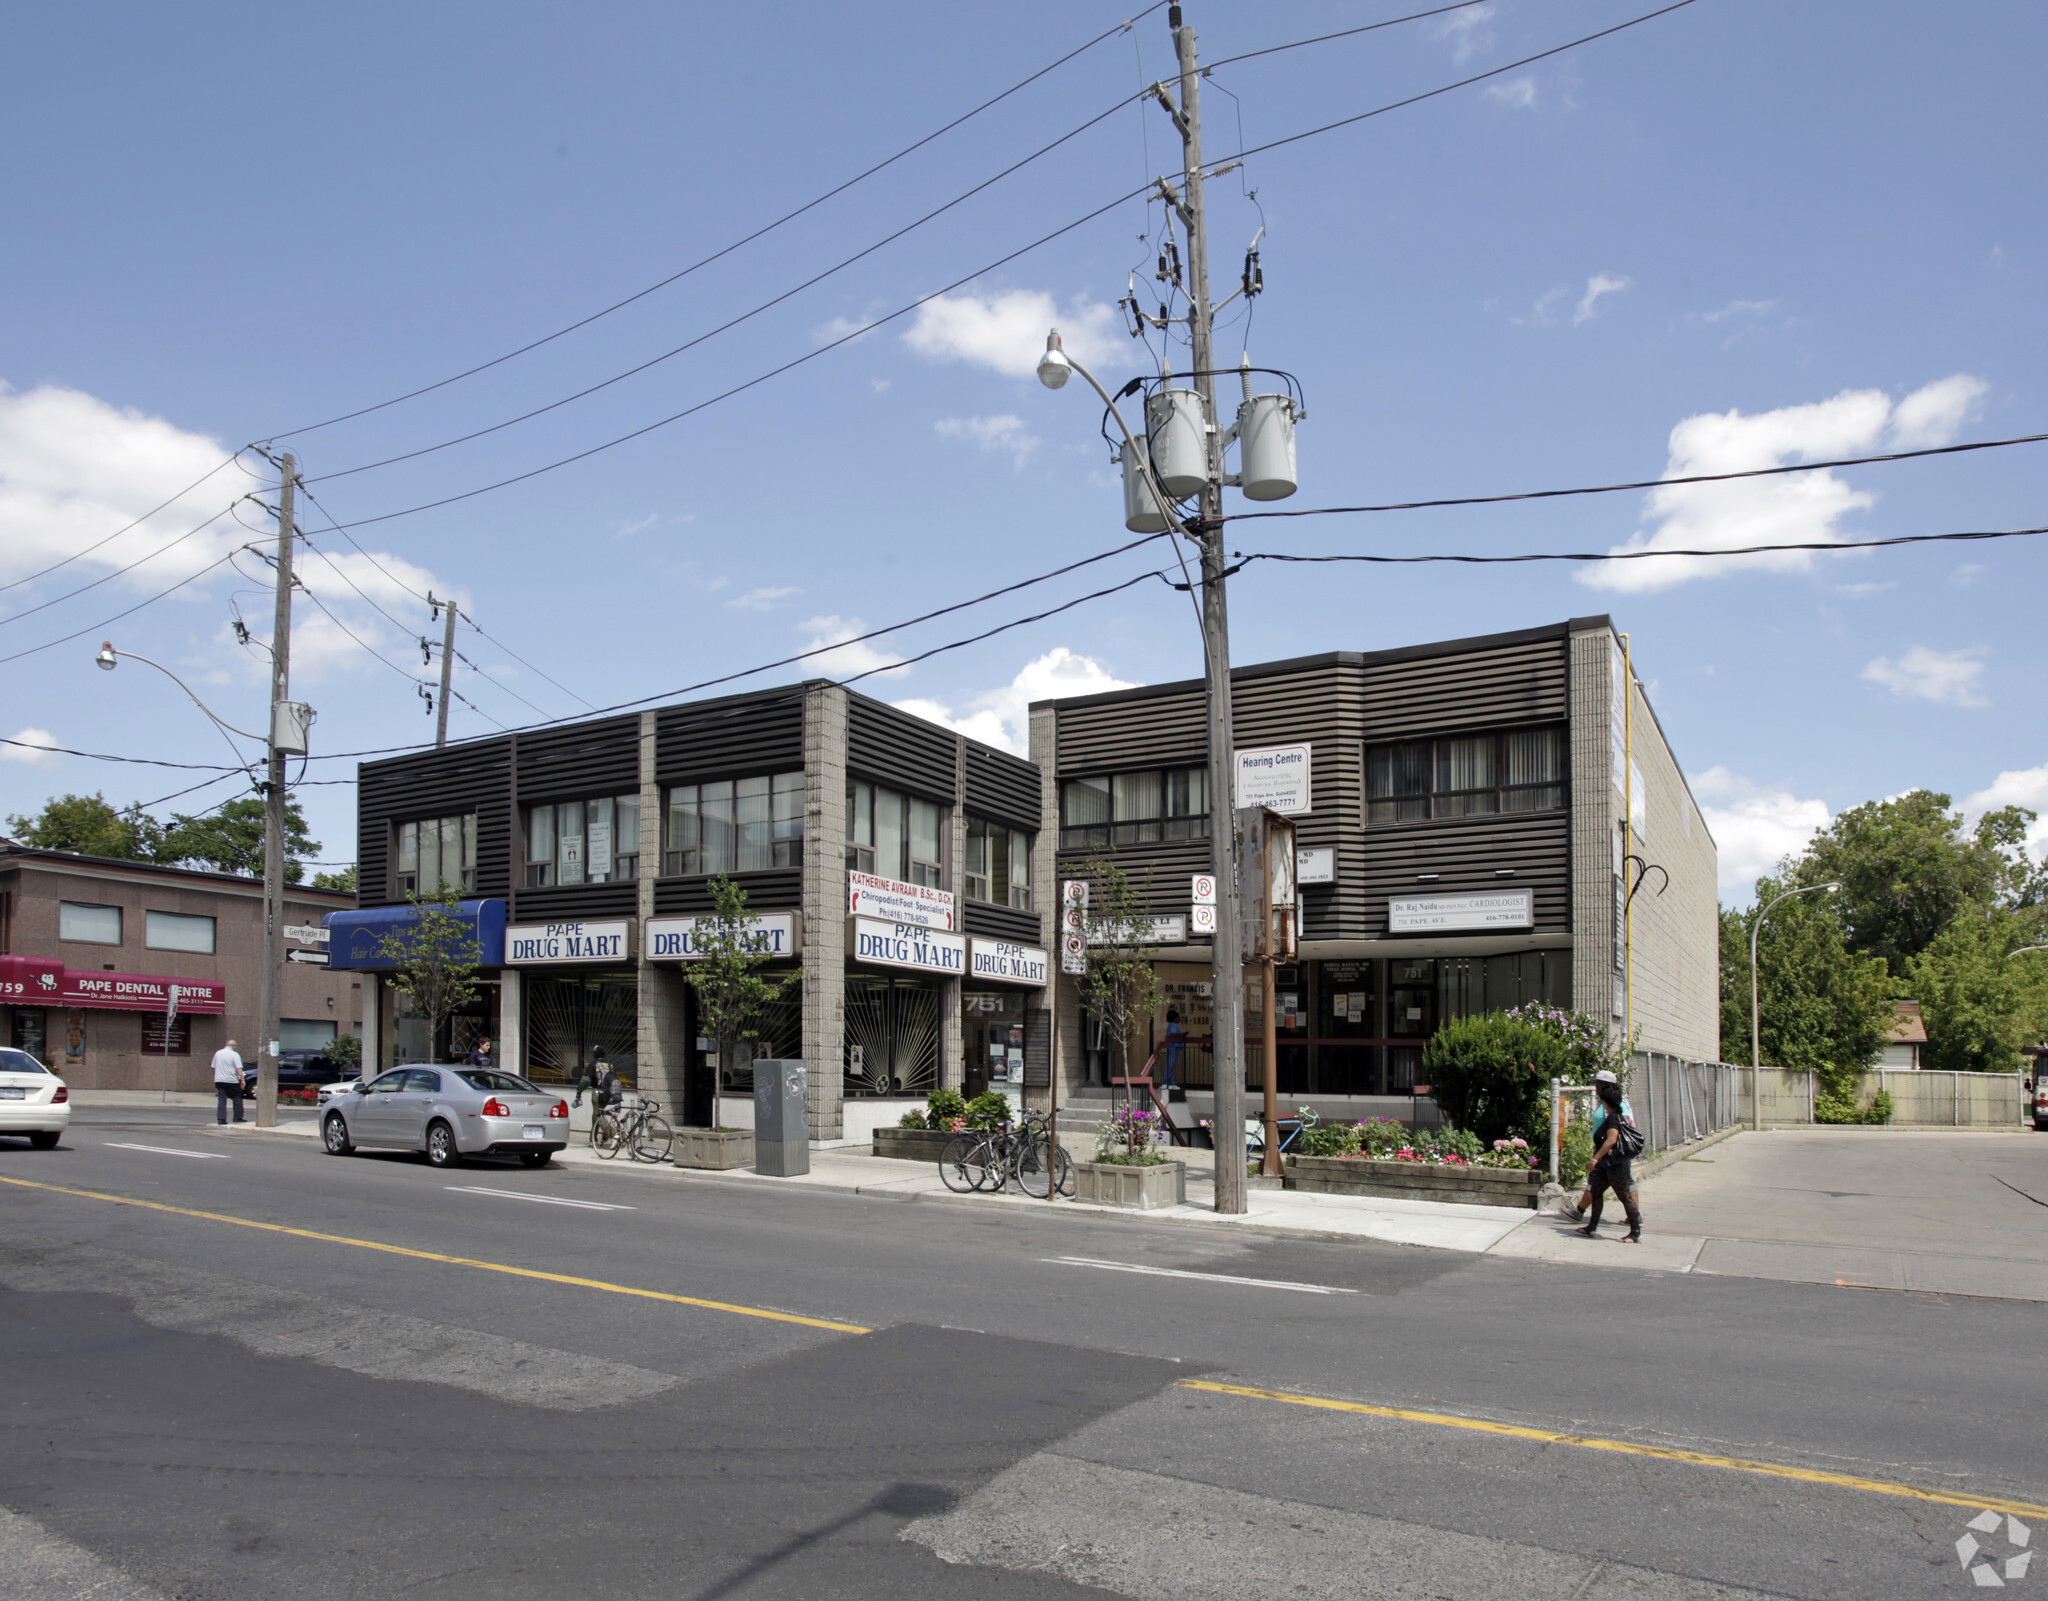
437 1385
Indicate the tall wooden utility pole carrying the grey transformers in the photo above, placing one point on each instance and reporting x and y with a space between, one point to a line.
1228 1049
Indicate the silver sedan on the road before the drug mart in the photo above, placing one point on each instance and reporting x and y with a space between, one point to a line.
450 1113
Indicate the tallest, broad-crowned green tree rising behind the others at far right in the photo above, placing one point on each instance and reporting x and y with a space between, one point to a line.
1908 869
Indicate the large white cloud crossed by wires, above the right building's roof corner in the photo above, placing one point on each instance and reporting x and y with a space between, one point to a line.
1801 509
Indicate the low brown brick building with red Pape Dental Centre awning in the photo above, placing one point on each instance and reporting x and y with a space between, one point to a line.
91 951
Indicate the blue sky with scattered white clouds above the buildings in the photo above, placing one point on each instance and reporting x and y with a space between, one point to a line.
1740 234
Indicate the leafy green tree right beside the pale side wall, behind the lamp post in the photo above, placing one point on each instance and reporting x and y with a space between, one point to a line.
1826 1006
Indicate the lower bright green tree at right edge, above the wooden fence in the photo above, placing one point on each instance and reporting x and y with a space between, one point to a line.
1979 1006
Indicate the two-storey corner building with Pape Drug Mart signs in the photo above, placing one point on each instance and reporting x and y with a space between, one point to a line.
890 863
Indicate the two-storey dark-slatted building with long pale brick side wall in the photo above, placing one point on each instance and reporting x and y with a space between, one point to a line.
1463 851
